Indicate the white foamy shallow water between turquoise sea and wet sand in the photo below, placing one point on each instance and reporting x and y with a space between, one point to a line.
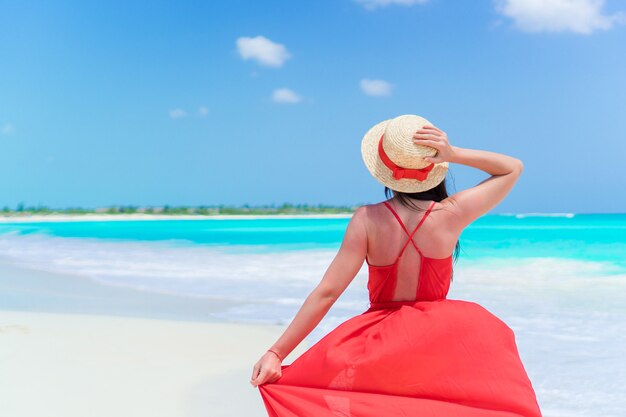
568 314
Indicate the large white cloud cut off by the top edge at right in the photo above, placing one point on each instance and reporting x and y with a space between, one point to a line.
578 16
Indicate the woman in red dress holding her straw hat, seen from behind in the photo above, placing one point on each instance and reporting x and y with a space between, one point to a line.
413 352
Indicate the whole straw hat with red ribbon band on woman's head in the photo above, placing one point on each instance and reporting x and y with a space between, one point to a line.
396 161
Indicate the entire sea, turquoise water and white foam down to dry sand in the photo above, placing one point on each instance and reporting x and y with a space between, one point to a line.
558 280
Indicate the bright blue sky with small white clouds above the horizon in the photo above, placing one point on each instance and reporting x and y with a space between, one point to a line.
262 102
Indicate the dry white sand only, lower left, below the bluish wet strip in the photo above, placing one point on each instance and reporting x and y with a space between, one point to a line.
76 365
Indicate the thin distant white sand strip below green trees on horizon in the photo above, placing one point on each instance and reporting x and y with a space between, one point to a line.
139 216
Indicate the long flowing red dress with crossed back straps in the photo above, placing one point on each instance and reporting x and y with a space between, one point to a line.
431 357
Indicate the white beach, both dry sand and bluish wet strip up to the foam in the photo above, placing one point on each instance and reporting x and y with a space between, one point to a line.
72 347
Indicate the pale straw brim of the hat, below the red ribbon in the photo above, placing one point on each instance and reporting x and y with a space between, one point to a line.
369 152
